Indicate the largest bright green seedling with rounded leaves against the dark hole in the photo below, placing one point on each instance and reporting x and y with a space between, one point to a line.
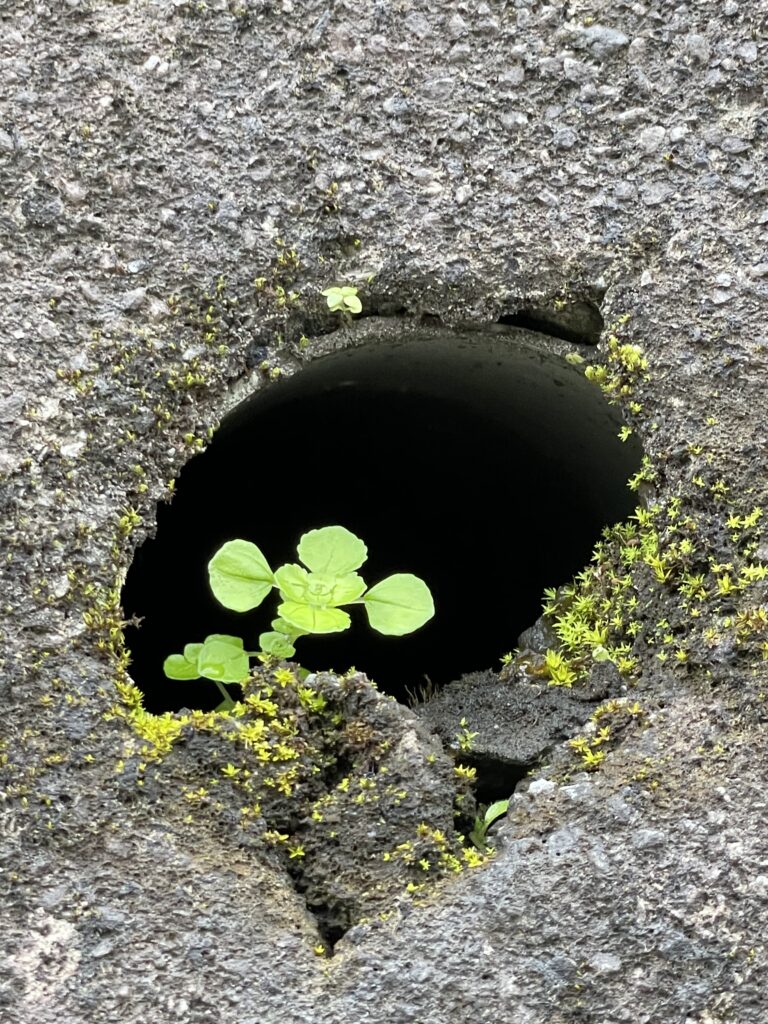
312 595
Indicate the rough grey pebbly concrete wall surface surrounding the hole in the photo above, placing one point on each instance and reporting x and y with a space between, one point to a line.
454 160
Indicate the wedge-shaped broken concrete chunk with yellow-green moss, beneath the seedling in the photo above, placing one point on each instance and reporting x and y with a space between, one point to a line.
339 784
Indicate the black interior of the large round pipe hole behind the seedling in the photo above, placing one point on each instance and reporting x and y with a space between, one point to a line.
482 463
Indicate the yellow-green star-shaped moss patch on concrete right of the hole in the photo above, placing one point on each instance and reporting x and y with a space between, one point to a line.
673 559
